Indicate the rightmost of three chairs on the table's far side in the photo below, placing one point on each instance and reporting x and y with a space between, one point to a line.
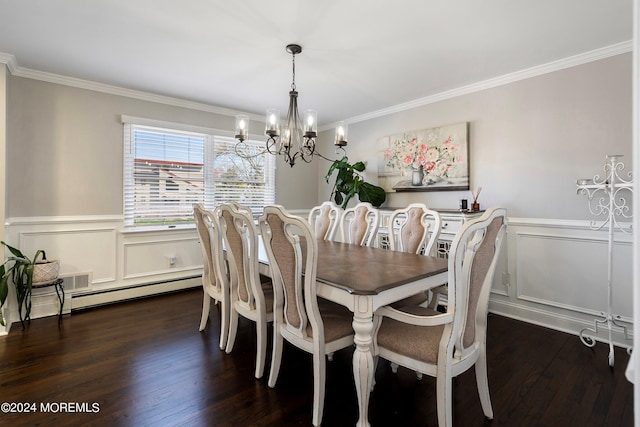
416 229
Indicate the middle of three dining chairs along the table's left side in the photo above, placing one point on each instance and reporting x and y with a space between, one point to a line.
251 297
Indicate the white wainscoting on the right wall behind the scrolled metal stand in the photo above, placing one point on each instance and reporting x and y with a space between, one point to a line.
556 276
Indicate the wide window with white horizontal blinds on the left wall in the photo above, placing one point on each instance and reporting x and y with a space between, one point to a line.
167 170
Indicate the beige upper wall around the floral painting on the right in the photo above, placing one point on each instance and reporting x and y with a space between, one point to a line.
529 140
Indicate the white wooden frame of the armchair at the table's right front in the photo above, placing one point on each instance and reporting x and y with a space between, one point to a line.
454 357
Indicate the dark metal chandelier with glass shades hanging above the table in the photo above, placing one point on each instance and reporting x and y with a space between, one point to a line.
296 138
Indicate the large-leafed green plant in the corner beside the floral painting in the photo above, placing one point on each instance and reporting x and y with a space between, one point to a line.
349 182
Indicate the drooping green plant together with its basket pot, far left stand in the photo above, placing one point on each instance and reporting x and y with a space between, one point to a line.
24 272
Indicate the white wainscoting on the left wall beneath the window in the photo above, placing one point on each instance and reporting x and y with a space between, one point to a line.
121 264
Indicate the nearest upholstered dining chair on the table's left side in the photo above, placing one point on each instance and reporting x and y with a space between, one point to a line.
316 326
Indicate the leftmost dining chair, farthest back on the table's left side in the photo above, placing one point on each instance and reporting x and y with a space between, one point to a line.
215 279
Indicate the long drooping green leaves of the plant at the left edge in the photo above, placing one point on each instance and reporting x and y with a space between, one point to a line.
20 269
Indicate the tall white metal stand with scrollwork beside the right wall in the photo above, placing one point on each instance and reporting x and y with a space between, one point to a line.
608 198
